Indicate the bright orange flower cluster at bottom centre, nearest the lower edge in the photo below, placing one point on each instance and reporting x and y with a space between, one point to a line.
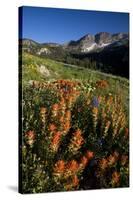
67 172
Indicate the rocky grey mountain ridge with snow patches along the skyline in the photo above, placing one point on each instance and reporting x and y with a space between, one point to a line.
87 43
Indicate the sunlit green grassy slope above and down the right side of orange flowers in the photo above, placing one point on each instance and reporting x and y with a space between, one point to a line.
118 85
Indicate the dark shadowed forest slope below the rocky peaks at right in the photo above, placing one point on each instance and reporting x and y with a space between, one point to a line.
113 59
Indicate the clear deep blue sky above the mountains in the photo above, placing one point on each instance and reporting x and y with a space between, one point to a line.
62 25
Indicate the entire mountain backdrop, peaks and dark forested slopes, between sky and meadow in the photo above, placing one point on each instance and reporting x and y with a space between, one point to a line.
104 51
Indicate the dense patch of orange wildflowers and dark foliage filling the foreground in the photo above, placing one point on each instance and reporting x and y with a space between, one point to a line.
73 138
